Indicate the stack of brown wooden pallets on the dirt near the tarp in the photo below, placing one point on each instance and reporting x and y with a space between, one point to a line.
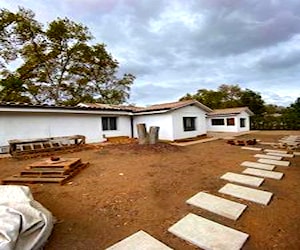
48 174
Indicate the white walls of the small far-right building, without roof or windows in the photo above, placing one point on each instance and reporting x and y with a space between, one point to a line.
225 128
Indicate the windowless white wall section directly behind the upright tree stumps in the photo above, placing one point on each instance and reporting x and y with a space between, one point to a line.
163 121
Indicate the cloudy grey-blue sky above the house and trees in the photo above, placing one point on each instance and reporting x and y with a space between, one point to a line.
178 46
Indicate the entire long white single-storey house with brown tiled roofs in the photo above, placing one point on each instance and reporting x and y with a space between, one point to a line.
177 120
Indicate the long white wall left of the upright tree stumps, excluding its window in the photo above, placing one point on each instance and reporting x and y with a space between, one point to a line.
21 125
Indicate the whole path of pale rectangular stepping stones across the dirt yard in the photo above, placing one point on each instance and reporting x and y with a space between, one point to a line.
208 234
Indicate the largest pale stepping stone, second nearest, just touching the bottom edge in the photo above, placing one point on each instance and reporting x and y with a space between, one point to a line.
207 234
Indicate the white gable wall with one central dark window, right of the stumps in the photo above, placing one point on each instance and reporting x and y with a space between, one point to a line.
189 111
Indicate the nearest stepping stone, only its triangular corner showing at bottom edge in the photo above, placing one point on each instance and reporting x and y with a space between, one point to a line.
139 240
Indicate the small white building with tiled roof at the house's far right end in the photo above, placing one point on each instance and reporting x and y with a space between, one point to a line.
229 120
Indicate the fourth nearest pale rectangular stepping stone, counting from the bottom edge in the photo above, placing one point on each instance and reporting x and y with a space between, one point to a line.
250 194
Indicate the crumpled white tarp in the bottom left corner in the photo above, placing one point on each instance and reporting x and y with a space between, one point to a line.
24 223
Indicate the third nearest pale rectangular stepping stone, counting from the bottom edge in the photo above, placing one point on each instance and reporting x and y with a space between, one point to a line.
217 205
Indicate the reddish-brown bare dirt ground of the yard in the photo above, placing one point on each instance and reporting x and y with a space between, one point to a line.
128 188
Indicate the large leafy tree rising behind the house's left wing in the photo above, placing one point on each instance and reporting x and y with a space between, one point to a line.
59 66
